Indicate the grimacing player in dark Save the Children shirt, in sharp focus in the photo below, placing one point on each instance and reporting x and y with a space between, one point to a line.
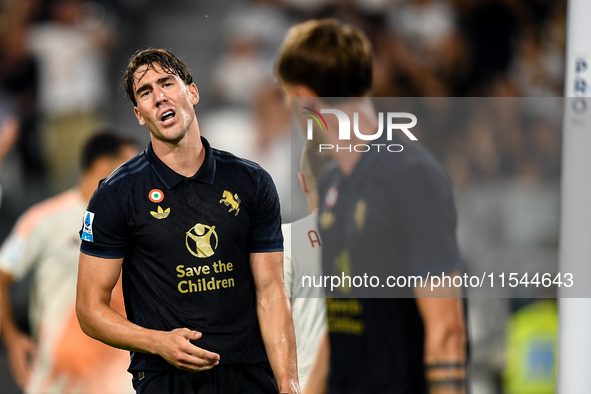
197 235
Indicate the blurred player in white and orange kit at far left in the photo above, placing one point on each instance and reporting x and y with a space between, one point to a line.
60 357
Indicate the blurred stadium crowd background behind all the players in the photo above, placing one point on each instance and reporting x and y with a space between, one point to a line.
61 67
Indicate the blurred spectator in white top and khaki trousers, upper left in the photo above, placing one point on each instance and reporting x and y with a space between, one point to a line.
72 50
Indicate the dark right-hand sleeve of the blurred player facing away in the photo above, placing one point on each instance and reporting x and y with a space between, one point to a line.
426 208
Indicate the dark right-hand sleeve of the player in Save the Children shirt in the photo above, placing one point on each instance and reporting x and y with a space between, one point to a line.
265 232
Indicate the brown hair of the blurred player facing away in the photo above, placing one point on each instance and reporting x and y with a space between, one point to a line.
333 59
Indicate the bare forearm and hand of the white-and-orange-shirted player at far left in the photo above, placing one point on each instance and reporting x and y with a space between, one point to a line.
20 347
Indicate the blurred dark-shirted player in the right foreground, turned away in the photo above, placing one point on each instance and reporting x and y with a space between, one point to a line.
379 212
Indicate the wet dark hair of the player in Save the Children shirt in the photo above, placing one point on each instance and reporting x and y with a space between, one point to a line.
165 59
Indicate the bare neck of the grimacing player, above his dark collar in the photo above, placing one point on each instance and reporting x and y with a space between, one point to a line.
185 157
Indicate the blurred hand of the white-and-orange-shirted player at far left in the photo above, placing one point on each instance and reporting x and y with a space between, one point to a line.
21 353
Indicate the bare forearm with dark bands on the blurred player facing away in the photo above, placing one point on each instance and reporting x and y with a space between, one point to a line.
445 339
